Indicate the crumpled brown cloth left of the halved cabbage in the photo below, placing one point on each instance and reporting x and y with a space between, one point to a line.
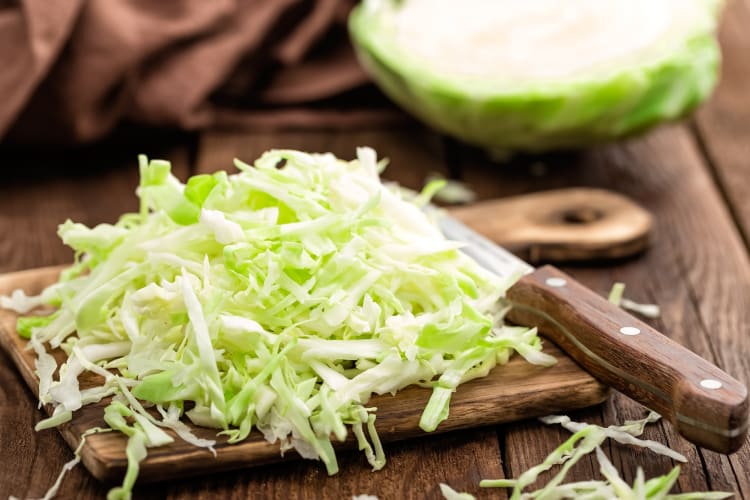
71 70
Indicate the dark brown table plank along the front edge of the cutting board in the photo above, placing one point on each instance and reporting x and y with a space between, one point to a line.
456 459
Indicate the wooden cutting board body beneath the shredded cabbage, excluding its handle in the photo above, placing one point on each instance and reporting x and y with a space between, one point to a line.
511 392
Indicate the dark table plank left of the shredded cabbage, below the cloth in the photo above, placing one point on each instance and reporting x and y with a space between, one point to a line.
90 189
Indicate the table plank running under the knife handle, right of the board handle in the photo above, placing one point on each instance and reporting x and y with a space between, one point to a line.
697 270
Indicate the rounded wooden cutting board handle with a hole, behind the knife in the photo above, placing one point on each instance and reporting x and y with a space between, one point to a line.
576 224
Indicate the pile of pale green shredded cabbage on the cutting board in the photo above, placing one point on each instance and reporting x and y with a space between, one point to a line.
279 298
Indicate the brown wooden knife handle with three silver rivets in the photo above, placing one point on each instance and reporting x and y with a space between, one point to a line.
706 405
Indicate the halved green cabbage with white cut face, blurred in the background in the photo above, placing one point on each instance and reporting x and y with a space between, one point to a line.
540 74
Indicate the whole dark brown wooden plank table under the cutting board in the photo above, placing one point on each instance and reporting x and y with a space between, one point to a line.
693 176
